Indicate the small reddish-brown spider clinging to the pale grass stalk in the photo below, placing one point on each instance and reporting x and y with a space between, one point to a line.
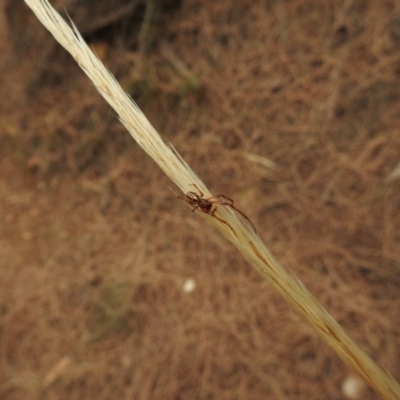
209 206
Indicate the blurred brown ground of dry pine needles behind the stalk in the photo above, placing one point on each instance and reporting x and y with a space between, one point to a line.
95 250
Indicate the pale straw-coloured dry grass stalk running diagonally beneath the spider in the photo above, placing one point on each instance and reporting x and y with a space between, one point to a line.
247 241
